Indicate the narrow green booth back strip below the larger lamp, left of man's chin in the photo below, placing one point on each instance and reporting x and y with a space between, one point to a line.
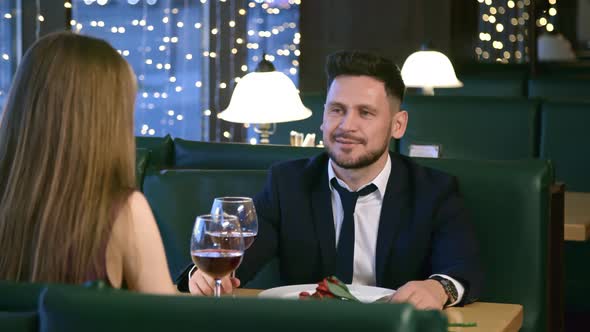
205 155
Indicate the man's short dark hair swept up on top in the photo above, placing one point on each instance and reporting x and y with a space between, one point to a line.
357 63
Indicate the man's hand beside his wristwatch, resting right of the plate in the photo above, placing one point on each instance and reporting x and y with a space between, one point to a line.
424 295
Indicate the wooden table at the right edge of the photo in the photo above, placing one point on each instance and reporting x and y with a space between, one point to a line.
577 216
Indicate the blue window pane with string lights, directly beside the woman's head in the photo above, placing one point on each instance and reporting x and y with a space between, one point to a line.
162 40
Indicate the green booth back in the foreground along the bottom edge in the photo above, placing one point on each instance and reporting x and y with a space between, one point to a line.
87 310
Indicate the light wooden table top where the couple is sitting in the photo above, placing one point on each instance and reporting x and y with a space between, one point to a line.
490 317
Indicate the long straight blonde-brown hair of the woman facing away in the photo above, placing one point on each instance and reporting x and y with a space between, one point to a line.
67 155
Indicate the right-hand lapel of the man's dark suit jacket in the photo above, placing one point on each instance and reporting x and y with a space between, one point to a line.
394 211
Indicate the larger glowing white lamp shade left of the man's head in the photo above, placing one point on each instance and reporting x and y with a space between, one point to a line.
265 97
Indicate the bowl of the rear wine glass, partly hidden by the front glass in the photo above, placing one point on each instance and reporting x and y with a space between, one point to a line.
243 208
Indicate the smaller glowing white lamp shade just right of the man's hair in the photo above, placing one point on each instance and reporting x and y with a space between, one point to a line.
429 69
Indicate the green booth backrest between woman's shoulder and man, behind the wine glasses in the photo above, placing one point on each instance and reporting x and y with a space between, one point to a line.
177 197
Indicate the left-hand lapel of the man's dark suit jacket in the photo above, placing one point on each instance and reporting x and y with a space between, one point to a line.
321 207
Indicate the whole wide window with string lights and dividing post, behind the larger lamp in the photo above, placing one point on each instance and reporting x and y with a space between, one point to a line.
188 54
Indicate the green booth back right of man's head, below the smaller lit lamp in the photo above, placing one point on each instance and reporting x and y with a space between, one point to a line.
473 127
